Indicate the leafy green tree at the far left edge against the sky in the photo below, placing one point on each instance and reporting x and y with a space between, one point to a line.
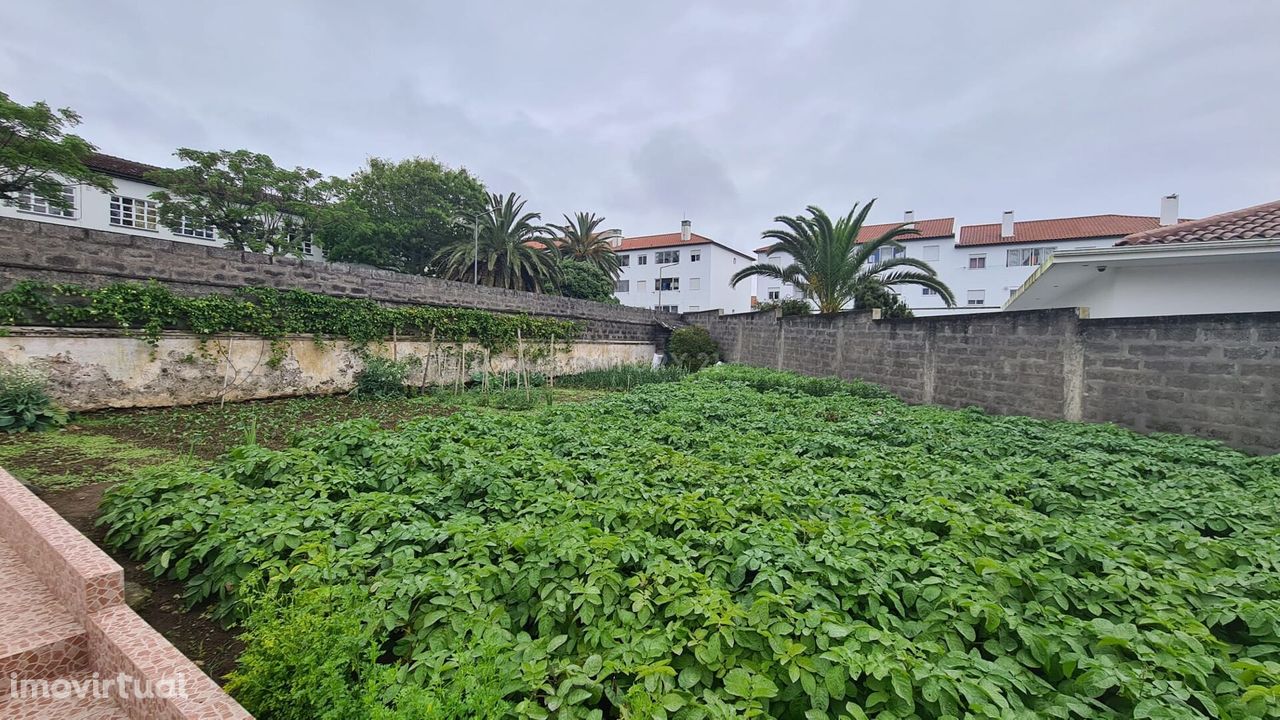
39 156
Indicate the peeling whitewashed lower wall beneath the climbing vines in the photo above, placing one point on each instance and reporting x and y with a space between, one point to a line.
94 370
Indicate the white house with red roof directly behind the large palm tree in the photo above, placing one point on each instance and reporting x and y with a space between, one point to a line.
935 244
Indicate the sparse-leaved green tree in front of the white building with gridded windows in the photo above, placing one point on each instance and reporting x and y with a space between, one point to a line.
253 203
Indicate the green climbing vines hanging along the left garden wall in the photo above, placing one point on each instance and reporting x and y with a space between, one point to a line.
148 309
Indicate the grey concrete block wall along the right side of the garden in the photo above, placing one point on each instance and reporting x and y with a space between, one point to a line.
1210 376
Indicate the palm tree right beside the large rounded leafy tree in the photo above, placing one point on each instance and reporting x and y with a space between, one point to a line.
515 250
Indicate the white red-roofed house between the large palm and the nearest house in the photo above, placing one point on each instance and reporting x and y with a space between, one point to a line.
991 262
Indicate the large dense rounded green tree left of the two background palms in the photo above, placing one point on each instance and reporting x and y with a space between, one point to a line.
399 216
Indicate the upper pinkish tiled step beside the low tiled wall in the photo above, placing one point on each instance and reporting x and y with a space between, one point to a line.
39 637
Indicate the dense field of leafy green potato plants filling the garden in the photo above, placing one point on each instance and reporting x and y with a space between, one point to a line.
739 544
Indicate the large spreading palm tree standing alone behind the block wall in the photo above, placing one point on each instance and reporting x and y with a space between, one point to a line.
831 267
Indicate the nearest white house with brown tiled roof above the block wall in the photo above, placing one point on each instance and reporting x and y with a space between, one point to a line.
1228 263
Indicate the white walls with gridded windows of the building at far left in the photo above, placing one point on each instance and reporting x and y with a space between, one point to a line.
127 211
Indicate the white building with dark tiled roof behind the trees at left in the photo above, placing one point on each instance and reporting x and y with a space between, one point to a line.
130 209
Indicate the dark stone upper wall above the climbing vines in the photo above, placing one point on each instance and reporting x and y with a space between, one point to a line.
52 253
